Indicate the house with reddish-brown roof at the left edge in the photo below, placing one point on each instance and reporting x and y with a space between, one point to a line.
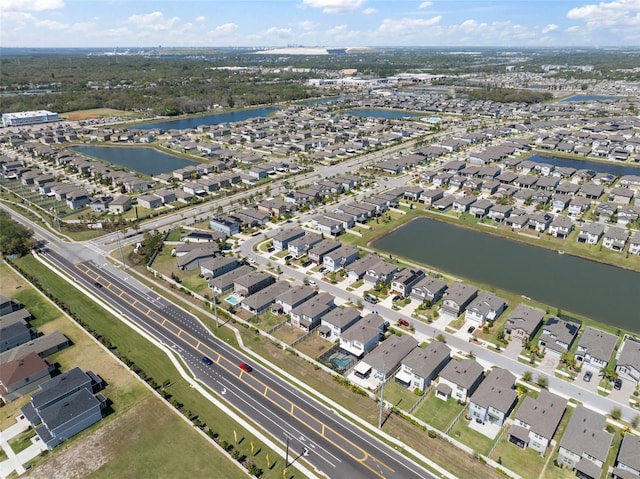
23 375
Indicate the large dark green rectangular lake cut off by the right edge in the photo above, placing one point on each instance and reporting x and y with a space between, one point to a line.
598 291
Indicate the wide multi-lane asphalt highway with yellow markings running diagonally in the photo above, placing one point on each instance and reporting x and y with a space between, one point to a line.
330 443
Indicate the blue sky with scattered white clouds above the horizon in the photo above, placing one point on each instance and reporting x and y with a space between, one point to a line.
312 23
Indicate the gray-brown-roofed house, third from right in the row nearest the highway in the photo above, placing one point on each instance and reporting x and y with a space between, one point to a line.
537 420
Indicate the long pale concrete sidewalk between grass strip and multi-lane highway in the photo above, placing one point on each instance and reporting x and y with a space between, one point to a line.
183 373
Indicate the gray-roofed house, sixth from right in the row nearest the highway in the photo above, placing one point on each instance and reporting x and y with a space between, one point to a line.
421 366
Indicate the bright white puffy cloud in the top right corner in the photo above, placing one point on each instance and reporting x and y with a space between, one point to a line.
617 13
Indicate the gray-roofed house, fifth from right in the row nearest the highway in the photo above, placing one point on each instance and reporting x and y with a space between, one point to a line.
459 379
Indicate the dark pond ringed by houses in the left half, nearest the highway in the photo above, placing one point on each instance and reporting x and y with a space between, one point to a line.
145 160
